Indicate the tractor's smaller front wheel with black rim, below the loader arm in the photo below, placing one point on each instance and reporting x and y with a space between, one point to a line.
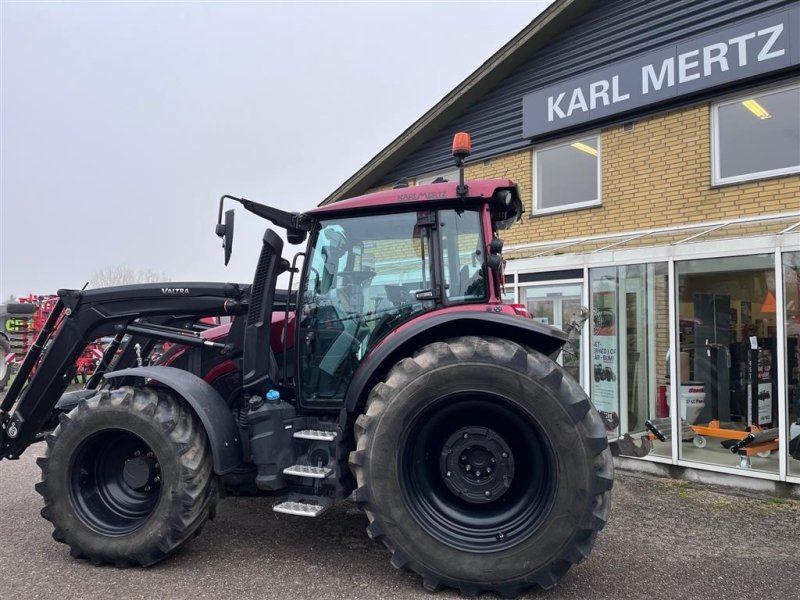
127 477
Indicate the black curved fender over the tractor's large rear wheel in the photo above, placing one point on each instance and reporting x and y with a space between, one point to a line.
442 325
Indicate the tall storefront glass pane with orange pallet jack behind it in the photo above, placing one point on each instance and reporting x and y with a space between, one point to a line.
727 363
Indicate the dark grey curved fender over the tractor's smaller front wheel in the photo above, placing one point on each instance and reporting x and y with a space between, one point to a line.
205 401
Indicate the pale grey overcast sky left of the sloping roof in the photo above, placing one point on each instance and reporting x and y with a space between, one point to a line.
123 123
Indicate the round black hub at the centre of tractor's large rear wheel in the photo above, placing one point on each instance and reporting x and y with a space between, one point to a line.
477 465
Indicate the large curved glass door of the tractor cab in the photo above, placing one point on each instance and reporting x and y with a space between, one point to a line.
365 277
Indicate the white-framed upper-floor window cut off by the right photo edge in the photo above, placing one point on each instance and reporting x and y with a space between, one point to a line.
757 136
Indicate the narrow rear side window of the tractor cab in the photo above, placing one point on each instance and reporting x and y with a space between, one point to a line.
463 252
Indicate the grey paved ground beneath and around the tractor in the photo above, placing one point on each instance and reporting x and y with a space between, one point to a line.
665 539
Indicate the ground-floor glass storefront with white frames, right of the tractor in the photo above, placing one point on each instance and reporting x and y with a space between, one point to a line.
730 327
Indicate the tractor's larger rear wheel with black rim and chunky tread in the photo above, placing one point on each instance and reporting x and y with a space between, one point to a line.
482 467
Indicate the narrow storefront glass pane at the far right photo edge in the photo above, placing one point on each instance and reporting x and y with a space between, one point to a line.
791 284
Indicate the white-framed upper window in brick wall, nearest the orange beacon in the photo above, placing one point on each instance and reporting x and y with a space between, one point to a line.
567 176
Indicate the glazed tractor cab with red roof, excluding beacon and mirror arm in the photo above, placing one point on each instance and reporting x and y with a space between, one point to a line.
370 271
